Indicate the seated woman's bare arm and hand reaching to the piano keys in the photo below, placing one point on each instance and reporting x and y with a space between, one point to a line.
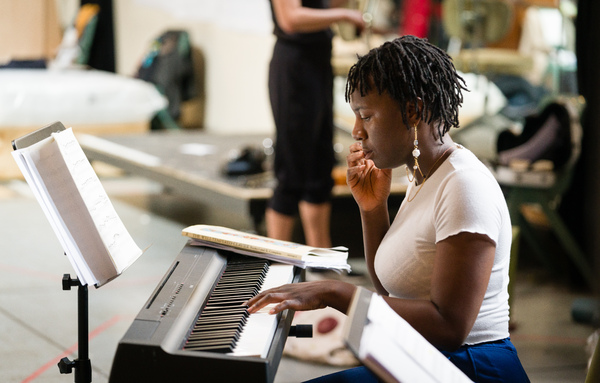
461 273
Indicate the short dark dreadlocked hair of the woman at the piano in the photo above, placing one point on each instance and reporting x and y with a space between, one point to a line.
410 70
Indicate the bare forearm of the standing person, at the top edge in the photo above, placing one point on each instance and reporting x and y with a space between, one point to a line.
292 17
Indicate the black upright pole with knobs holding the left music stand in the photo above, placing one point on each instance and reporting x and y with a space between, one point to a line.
82 365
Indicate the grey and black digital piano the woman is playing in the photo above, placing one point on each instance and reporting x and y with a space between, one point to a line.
194 327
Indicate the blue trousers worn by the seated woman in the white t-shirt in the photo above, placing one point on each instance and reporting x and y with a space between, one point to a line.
488 362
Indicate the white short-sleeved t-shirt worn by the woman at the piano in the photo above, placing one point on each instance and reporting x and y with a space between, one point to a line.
461 196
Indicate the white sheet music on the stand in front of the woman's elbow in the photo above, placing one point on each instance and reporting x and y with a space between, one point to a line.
385 343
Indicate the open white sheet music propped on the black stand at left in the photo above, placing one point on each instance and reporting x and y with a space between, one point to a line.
88 228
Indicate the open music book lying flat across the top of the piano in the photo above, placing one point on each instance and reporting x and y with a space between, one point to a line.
269 248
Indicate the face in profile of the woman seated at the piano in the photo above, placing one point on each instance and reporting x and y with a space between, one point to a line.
385 139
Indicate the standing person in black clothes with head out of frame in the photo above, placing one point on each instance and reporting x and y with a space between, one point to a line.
301 94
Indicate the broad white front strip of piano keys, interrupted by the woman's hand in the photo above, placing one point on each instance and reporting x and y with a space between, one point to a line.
259 330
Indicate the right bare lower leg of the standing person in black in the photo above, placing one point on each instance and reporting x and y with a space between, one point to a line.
316 223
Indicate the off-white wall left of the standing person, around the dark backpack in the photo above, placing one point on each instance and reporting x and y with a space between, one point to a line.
236 55
